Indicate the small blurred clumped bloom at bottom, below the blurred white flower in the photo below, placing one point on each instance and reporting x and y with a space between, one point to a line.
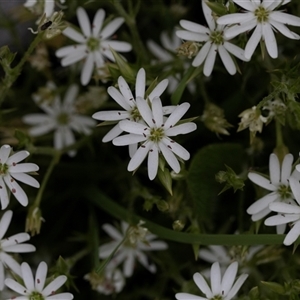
110 282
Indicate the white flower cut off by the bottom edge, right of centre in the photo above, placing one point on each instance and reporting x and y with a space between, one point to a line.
221 288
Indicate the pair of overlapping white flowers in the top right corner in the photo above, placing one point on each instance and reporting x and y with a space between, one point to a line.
259 15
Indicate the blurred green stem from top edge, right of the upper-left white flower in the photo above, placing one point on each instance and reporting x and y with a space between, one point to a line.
138 45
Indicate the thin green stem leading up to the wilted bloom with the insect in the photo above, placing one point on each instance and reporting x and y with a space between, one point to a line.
12 76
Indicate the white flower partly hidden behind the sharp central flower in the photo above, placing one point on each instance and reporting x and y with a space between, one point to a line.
127 101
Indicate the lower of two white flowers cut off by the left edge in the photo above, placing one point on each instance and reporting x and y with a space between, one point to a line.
12 244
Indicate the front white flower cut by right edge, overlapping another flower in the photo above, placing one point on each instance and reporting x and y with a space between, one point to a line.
288 213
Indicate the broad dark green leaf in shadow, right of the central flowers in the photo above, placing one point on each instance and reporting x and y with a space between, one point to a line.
201 181
